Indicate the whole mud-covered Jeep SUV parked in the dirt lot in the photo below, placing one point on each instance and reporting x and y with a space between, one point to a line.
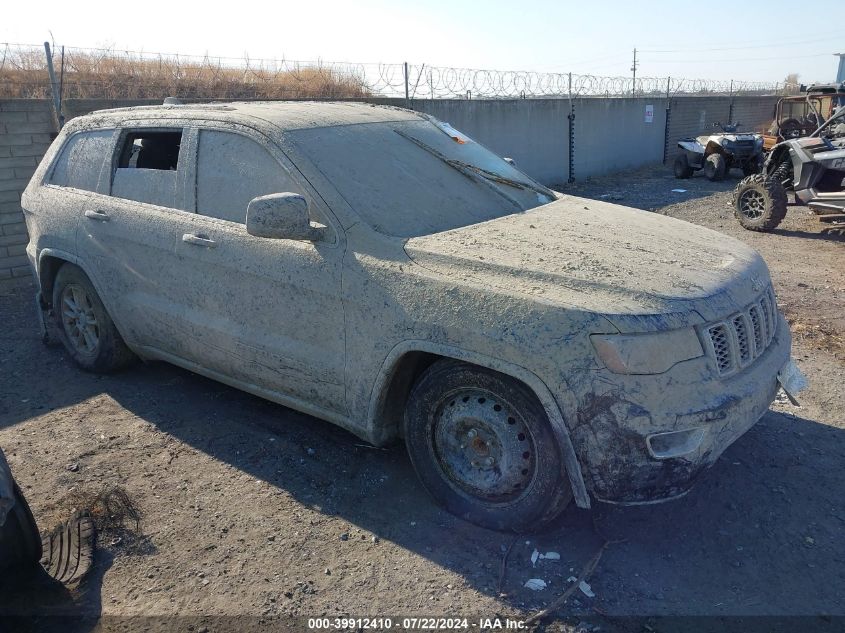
378 269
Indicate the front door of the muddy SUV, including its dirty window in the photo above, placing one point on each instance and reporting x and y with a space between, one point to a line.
262 311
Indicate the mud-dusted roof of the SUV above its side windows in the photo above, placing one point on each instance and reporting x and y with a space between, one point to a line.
287 115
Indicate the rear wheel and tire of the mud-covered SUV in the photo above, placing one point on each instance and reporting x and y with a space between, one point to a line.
96 346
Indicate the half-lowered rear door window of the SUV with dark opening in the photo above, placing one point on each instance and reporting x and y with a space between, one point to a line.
147 167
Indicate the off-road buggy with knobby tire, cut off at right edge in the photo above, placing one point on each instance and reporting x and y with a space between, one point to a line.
812 167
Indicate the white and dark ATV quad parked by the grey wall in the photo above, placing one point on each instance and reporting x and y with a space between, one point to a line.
718 153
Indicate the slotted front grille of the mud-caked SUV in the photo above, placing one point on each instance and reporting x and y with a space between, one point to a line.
736 342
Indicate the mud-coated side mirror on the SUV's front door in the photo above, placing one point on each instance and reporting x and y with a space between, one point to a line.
281 216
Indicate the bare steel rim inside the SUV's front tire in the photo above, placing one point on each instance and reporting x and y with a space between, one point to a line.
483 446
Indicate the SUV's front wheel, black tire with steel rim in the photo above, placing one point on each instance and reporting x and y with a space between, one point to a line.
483 447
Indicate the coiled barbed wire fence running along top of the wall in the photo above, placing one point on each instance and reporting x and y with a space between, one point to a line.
110 73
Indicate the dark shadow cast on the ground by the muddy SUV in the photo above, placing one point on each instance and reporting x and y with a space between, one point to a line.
761 533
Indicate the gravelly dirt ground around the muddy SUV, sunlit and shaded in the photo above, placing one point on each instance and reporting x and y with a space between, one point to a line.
252 513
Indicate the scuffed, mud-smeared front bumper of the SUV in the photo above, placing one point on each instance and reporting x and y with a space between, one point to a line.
645 439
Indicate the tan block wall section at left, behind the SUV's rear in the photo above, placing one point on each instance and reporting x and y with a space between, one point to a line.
26 131
